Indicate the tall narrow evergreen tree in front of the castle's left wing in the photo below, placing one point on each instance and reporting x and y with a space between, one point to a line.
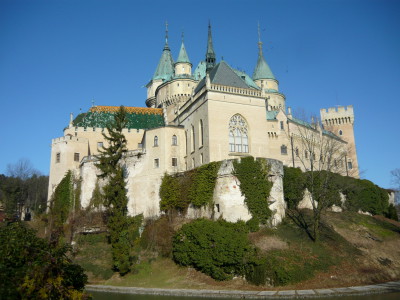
115 198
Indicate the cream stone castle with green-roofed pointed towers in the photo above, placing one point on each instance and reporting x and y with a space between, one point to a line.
213 113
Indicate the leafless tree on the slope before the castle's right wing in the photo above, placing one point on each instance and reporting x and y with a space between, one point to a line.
320 154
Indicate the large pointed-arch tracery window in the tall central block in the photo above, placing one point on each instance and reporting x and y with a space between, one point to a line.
238 134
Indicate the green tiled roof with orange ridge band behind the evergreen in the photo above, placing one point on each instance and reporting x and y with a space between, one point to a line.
138 117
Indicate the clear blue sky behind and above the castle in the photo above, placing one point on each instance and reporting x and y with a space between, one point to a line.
57 56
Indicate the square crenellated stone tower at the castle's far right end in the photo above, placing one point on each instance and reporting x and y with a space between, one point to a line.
340 121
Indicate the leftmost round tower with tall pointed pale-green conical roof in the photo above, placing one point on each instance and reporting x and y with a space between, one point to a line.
164 71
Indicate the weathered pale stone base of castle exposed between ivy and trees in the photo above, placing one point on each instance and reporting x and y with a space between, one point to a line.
143 191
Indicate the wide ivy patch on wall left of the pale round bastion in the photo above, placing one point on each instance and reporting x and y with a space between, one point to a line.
194 187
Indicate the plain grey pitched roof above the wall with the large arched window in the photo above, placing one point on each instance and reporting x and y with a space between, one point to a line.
223 74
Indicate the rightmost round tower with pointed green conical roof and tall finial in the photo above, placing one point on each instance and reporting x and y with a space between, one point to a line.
266 80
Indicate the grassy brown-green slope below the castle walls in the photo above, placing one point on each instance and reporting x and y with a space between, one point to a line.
354 250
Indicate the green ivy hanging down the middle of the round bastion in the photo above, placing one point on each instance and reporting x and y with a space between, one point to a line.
255 186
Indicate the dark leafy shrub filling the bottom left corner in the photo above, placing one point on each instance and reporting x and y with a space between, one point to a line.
31 268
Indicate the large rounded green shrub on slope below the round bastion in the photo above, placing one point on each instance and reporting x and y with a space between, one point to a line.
219 249
